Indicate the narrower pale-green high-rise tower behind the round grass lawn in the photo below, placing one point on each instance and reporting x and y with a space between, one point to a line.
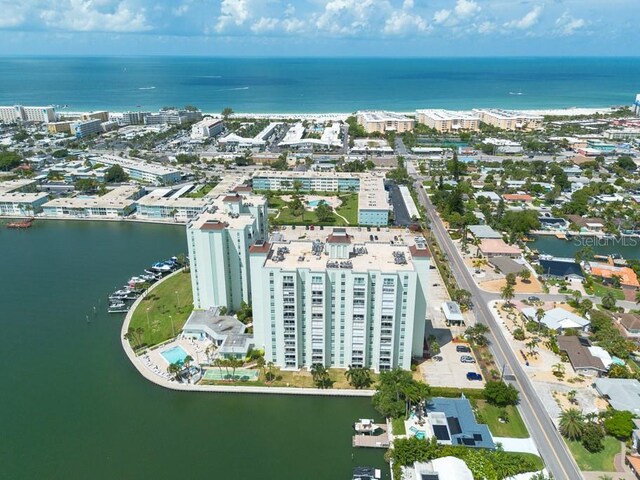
218 243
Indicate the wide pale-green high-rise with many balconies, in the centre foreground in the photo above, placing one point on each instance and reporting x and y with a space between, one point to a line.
339 302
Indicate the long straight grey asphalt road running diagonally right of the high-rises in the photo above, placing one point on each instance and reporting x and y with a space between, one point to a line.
553 450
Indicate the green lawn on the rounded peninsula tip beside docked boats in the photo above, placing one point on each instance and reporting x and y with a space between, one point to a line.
162 303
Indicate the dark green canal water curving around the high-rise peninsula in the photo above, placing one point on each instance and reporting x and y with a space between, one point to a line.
73 407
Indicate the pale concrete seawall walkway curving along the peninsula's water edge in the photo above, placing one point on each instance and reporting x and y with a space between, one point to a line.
173 385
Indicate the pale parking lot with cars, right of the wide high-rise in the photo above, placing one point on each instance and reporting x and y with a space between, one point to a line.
450 371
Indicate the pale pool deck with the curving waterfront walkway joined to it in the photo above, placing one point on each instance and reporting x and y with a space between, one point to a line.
145 365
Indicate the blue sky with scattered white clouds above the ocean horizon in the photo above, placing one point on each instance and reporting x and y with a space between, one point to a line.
327 28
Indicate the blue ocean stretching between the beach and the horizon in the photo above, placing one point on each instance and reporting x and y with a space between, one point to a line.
282 85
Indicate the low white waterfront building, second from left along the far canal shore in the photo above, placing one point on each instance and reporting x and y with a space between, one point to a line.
117 203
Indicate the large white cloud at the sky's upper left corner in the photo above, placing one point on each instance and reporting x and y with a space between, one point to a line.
96 16
